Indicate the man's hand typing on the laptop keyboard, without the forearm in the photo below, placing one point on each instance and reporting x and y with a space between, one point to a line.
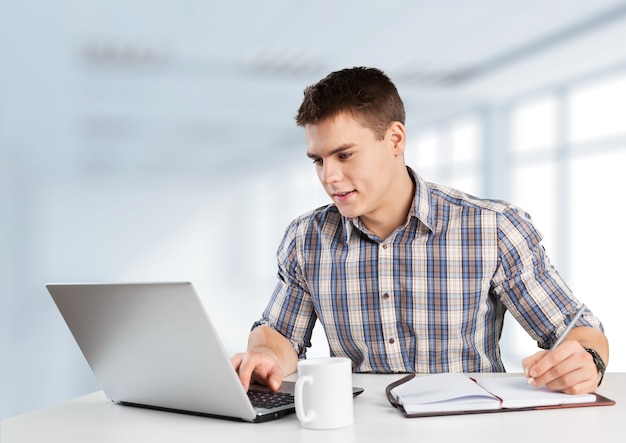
259 367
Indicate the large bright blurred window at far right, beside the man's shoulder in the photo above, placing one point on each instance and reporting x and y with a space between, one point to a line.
568 177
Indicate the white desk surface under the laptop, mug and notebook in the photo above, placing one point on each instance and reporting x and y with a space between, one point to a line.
93 418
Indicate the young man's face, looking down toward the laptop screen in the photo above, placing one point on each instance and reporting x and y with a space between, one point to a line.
356 169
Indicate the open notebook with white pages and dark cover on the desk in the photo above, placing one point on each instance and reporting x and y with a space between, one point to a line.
451 394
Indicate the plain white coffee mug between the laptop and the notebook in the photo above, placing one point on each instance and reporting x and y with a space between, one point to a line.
323 393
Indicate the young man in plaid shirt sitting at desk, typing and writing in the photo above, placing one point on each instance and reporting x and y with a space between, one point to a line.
404 275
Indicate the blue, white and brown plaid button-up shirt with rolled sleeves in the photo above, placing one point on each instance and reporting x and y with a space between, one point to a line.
431 297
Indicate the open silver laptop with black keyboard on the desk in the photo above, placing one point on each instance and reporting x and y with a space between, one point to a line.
153 345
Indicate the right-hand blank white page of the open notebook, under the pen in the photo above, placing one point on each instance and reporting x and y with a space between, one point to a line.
515 392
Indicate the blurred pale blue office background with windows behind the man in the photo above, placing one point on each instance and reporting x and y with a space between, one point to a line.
154 140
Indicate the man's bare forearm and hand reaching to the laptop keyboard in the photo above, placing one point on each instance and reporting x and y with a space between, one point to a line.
268 359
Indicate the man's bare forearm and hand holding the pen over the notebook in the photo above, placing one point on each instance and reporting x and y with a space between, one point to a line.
569 367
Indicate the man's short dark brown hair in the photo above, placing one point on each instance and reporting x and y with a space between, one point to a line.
367 93
